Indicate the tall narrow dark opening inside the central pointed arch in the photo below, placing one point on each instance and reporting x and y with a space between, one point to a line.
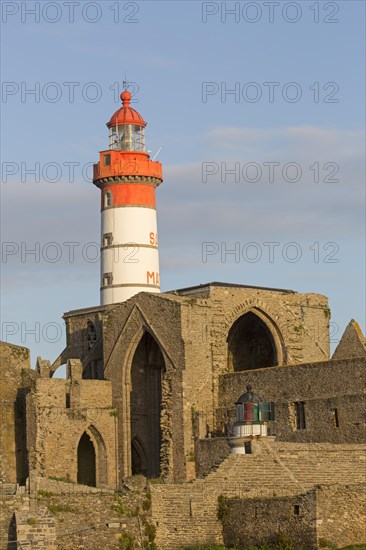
146 397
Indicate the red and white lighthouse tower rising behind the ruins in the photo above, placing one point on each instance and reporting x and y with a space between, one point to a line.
127 178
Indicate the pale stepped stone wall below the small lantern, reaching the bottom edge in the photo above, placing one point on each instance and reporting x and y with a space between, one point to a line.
187 513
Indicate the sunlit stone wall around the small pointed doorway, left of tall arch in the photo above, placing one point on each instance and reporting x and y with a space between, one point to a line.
56 424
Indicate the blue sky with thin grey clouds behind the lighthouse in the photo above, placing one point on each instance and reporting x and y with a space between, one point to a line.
171 54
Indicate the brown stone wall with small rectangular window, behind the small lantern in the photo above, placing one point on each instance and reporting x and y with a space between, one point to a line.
331 391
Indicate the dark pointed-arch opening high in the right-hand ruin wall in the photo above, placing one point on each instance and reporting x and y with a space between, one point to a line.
250 344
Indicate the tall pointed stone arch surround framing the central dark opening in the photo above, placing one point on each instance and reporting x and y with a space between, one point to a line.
118 368
